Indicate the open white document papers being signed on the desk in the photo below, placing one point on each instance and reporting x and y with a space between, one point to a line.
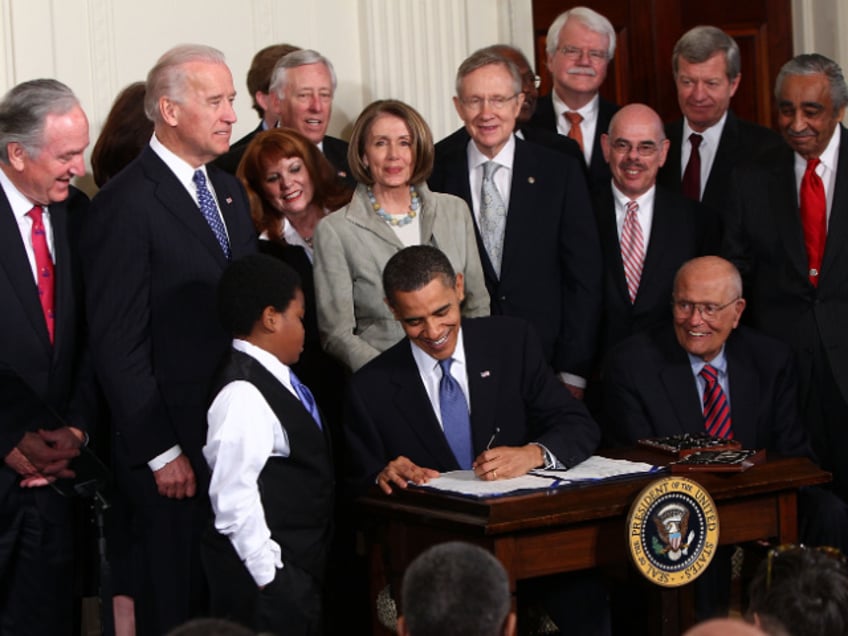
596 468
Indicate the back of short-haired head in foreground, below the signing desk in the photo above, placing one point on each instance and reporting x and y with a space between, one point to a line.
456 589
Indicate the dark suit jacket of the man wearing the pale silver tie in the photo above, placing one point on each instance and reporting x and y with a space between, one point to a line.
551 268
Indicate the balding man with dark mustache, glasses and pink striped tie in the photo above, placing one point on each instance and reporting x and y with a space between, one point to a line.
671 229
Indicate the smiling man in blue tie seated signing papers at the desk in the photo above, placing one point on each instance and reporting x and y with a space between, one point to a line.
472 394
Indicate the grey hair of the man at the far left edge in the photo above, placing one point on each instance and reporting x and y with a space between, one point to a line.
24 111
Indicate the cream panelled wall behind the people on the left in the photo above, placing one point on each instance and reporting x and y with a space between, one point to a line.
406 49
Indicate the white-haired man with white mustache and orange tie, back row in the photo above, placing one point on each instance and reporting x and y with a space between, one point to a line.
580 45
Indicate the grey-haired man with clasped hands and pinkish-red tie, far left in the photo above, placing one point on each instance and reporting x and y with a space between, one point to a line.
45 385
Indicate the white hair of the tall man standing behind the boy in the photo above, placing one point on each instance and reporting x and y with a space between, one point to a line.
169 77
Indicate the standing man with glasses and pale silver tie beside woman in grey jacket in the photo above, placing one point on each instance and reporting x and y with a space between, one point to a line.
537 240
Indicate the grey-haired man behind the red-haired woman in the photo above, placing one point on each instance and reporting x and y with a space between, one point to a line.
303 84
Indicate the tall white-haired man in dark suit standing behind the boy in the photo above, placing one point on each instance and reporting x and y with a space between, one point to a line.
156 241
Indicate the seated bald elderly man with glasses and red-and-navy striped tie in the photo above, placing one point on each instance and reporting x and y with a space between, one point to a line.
706 373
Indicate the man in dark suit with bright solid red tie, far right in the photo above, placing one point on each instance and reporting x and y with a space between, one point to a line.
787 233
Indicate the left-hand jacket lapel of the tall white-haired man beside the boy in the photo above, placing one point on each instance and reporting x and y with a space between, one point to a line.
176 199
